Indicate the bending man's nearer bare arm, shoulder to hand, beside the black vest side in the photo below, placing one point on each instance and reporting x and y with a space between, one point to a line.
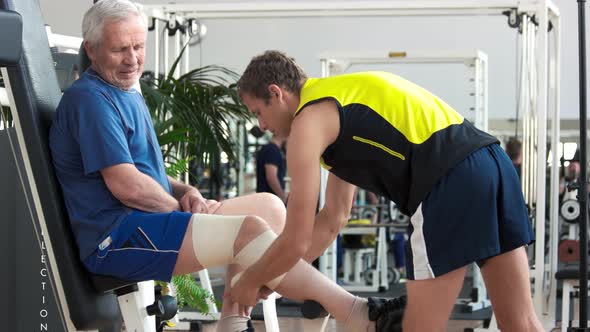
311 132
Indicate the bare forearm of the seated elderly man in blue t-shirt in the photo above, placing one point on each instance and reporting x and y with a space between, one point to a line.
138 190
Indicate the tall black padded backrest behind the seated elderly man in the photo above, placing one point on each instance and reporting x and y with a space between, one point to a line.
90 302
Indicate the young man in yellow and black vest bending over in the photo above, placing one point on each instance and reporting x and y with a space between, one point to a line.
382 133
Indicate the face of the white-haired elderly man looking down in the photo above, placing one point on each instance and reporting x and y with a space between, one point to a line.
118 57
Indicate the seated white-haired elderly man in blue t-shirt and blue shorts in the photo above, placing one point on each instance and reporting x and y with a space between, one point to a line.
129 218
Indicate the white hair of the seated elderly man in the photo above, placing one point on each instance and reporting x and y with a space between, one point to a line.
107 10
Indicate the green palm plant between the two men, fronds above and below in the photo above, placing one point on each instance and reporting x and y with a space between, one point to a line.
192 116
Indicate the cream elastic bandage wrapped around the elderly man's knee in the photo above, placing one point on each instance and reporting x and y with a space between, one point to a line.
213 243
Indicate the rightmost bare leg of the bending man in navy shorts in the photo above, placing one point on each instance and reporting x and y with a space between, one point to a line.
507 282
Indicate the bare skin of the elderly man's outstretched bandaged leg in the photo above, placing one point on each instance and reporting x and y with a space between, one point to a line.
302 282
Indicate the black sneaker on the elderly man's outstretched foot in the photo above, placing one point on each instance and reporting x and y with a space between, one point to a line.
387 313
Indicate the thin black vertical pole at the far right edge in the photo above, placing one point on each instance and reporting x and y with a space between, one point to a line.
583 189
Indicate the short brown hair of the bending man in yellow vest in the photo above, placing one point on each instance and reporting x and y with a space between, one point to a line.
271 67
